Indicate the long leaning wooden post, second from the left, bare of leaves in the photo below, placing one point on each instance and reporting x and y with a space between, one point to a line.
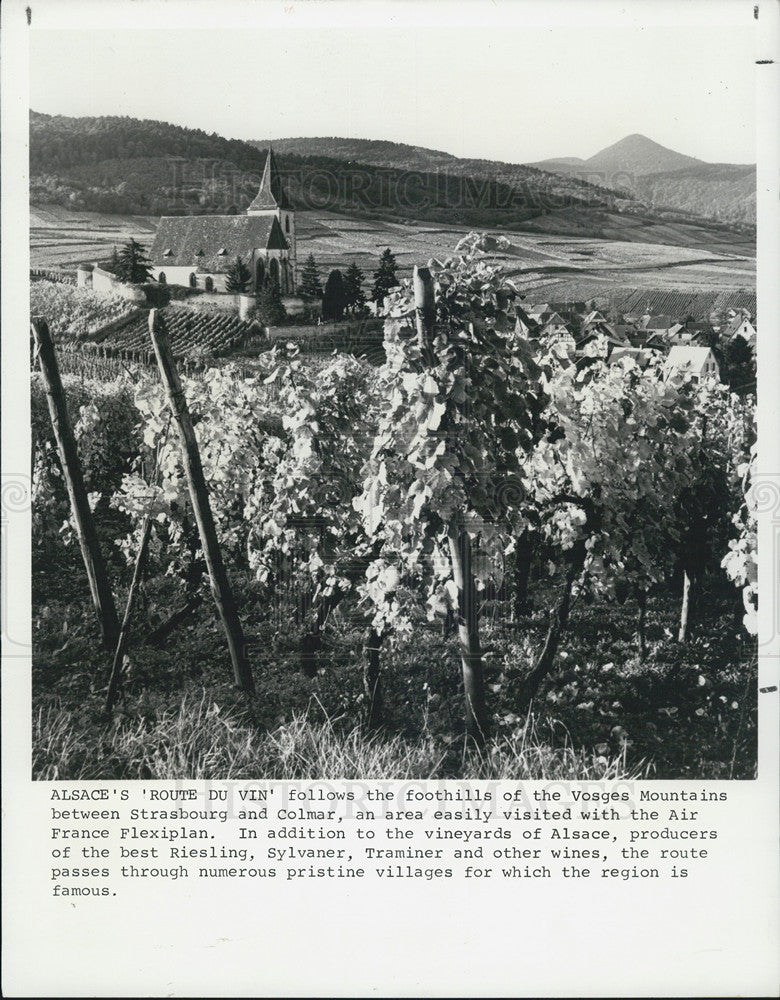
196 482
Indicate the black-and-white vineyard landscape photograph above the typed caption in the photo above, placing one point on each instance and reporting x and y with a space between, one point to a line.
393 405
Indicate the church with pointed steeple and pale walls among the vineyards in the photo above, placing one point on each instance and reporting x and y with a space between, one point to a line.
198 250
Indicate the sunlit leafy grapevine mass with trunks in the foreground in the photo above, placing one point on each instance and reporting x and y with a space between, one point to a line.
410 490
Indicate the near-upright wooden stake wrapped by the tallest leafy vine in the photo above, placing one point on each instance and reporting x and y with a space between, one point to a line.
460 551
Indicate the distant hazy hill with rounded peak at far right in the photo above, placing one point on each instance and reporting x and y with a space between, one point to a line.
663 179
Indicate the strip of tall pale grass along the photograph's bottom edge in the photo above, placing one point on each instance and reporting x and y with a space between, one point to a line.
202 741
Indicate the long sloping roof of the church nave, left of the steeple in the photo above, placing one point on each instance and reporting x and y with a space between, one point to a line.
210 243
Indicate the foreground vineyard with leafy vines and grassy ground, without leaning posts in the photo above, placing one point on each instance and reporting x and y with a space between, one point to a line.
478 558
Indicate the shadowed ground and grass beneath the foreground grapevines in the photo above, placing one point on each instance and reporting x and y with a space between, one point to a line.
681 711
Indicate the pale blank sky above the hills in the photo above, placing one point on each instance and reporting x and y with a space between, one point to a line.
515 89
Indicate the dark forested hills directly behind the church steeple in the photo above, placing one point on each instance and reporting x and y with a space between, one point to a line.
128 166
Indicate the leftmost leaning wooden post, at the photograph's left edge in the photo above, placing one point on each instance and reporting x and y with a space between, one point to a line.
102 597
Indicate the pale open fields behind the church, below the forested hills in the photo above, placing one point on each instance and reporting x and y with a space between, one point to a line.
545 266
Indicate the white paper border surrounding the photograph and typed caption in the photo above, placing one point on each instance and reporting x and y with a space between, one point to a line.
708 939
